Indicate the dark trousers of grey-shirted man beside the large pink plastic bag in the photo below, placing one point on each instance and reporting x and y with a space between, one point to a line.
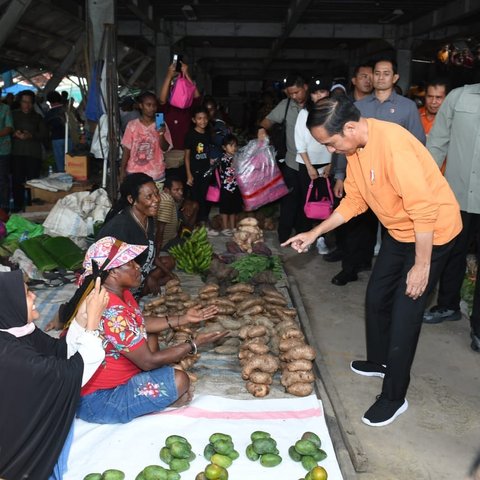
291 207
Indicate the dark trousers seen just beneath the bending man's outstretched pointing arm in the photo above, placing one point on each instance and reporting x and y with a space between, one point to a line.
357 239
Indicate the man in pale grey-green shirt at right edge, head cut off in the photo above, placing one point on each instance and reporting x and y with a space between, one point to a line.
455 135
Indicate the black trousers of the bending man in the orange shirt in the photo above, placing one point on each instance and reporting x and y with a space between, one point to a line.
394 320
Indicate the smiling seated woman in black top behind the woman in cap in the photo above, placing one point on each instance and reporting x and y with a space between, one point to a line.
133 220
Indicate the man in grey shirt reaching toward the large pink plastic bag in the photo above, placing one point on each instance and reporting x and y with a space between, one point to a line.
291 205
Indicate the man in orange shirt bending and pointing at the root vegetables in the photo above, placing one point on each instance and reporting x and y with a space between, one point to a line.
422 219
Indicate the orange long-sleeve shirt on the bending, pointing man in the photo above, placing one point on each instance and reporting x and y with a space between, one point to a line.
395 175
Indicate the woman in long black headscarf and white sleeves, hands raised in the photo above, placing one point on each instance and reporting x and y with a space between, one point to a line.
40 377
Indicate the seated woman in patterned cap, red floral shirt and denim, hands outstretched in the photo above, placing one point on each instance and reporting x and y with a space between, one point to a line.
133 380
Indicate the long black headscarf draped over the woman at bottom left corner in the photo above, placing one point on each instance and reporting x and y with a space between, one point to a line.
40 390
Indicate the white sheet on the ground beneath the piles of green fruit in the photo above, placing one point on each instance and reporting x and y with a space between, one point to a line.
133 446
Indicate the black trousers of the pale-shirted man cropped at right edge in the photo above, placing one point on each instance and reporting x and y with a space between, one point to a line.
452 277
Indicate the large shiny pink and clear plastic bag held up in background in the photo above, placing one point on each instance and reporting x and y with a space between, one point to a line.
259 179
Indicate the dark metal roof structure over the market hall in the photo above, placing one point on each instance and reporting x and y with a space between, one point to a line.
236 39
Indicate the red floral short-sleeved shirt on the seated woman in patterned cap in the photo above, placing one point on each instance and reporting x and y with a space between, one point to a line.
122 328
